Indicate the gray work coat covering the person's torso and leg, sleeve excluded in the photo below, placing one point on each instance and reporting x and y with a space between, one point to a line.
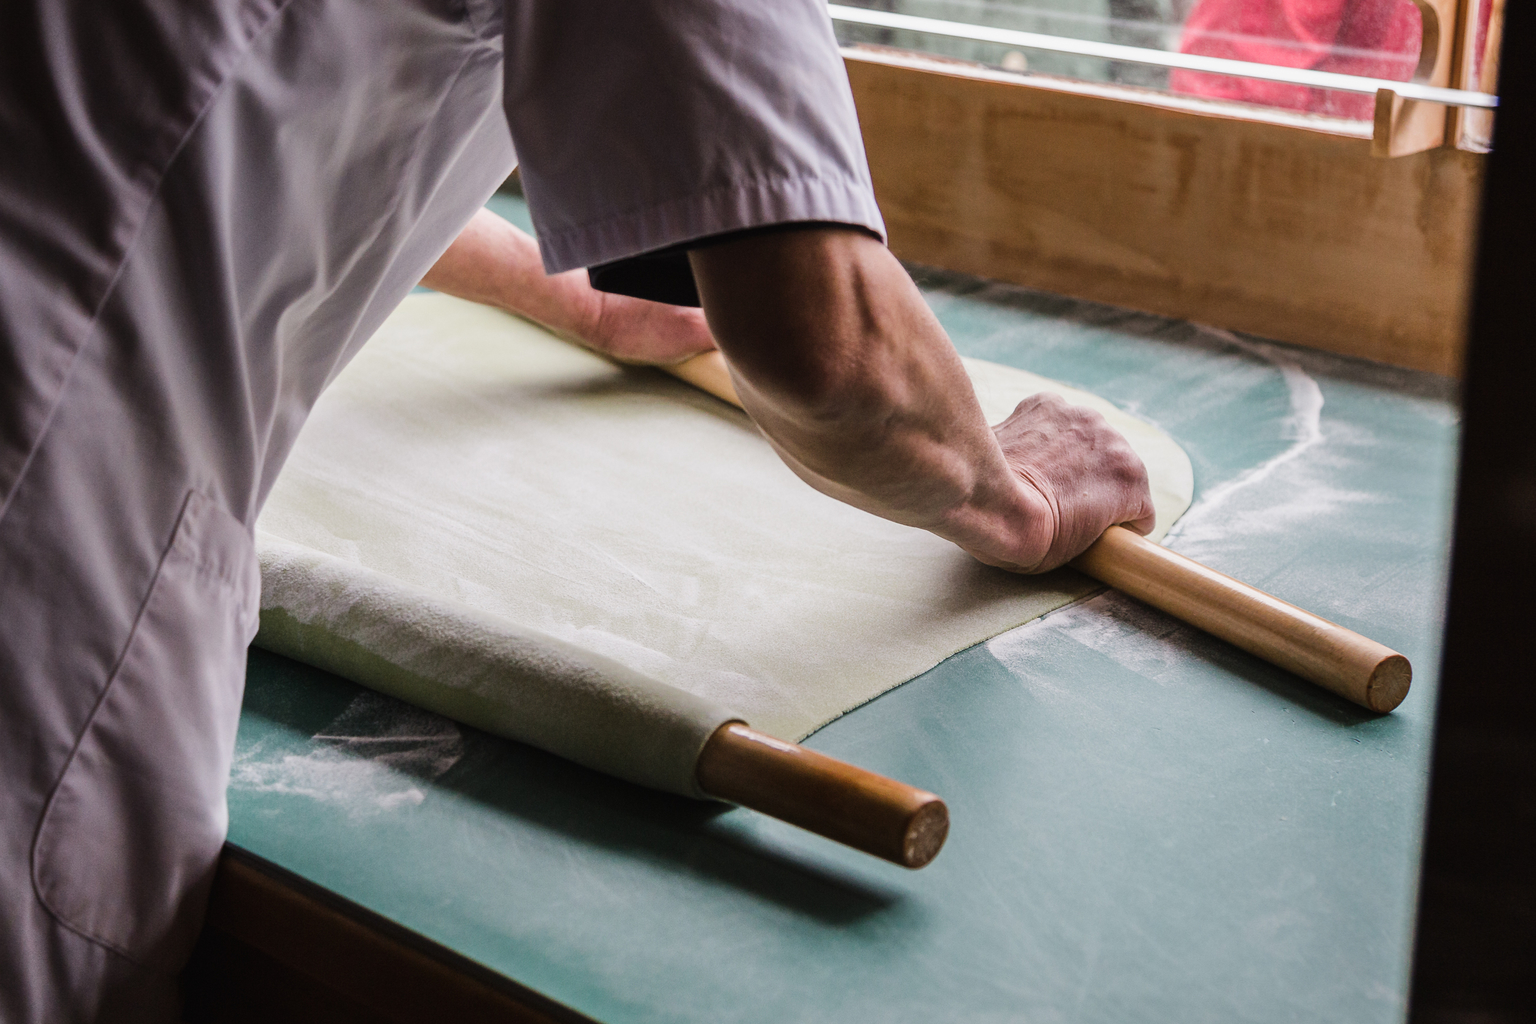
205 210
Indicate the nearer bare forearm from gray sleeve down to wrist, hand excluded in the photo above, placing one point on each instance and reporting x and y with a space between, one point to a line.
852 378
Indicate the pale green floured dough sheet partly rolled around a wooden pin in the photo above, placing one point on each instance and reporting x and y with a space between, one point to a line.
606 563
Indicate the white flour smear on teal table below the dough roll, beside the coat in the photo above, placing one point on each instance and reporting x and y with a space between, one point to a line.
366 761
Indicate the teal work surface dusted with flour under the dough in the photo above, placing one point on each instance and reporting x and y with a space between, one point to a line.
1148 824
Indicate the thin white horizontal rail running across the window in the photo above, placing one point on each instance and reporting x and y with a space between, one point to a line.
1162 59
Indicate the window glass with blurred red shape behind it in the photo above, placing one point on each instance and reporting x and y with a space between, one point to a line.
1377 39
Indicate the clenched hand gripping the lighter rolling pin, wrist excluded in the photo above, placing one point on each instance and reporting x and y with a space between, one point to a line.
1084 469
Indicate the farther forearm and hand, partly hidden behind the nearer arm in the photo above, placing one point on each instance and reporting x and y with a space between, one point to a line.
497 265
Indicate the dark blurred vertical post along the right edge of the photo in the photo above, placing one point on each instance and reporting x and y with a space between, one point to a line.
1475 956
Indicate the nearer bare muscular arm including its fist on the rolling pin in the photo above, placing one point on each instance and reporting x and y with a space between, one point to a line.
855 383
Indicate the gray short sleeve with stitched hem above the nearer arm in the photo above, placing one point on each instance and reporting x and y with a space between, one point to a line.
647 124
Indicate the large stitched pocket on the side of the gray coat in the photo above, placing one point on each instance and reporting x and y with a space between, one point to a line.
131 834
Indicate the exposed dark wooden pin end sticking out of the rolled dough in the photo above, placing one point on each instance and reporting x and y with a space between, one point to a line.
823 794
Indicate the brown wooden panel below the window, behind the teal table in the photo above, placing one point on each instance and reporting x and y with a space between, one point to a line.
1274 230
